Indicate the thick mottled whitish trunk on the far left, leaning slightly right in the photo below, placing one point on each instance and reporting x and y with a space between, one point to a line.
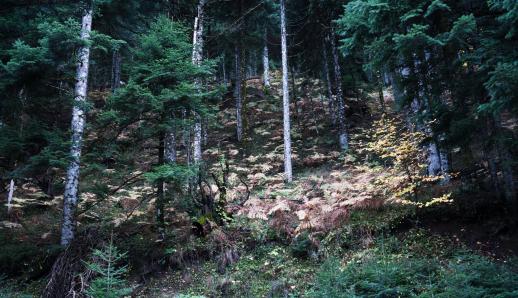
70 197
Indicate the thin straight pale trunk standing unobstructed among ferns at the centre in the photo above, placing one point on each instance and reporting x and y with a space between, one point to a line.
288 175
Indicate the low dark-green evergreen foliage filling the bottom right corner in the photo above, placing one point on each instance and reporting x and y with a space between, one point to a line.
382 273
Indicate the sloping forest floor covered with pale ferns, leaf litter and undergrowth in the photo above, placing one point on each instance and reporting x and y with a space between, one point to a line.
281 234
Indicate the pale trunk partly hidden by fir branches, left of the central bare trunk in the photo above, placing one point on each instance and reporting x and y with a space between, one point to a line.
197 57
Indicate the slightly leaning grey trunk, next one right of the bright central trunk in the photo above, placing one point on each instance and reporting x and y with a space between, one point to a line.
342 130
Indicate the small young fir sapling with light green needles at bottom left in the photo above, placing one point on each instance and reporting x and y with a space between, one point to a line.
109 274
